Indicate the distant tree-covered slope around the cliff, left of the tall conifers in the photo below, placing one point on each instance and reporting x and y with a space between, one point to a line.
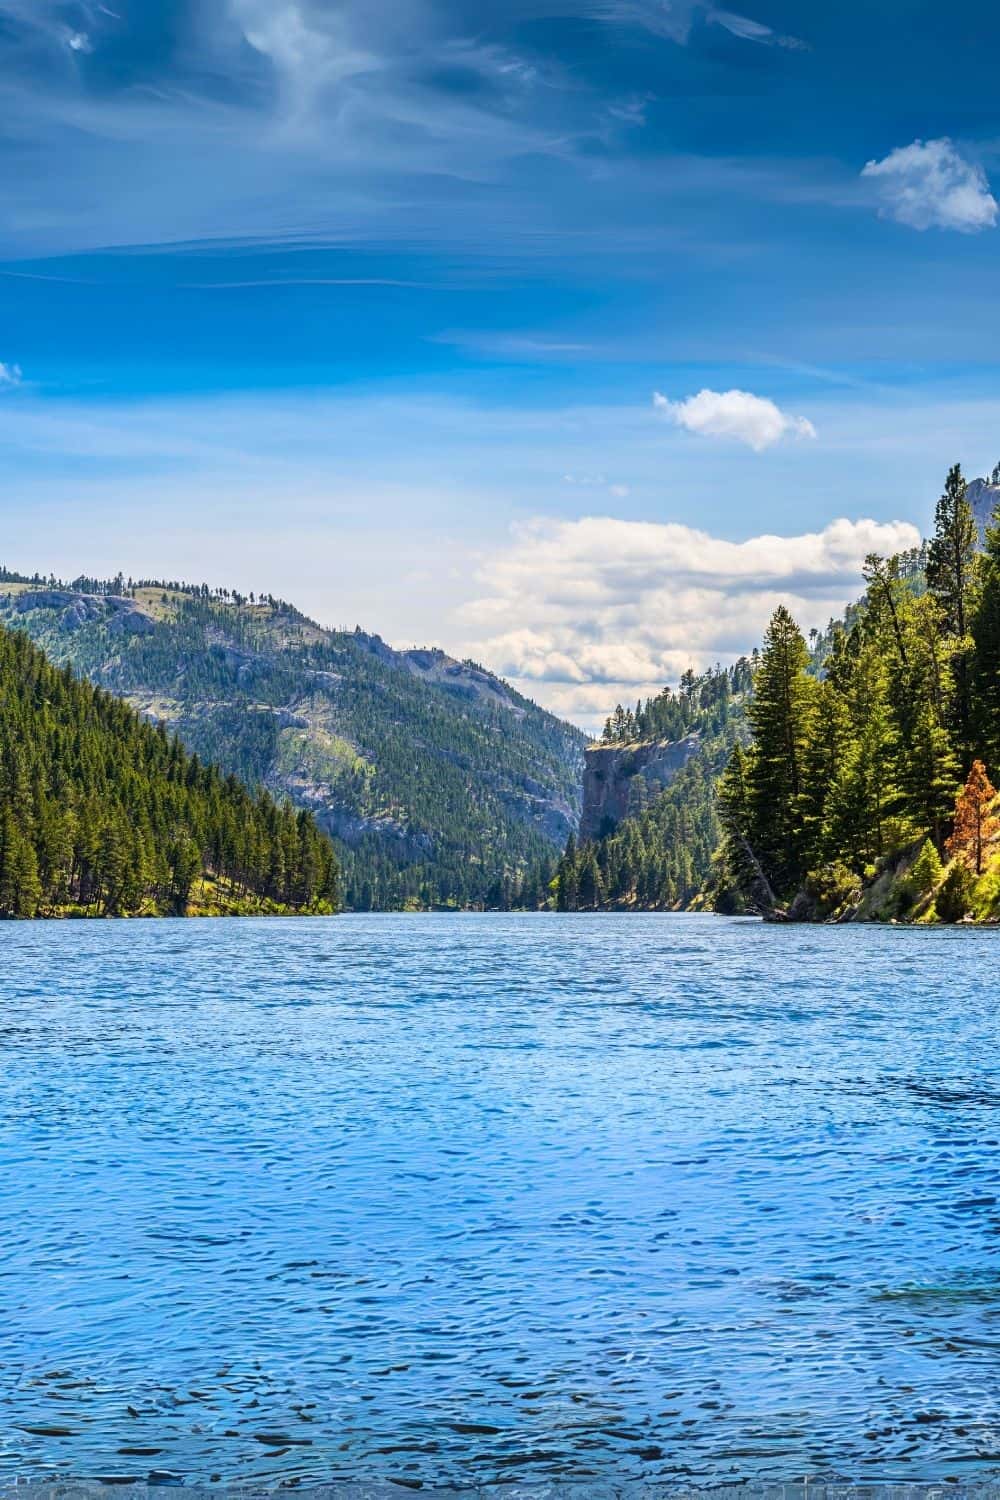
662 854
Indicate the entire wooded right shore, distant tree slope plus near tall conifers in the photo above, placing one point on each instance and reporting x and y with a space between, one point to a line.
845 778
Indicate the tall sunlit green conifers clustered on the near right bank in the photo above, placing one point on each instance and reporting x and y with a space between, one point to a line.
860 751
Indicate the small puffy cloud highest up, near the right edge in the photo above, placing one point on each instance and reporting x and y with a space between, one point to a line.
929 185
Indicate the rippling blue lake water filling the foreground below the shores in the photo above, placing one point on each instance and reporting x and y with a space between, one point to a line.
463 1199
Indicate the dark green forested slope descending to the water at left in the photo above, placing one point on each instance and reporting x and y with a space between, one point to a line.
106 815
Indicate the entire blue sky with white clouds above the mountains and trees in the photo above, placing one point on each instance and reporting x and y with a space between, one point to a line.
569 334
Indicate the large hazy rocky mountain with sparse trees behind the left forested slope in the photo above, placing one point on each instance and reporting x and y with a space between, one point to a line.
439 782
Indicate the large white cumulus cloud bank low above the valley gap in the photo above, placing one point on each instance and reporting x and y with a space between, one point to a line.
611 610
